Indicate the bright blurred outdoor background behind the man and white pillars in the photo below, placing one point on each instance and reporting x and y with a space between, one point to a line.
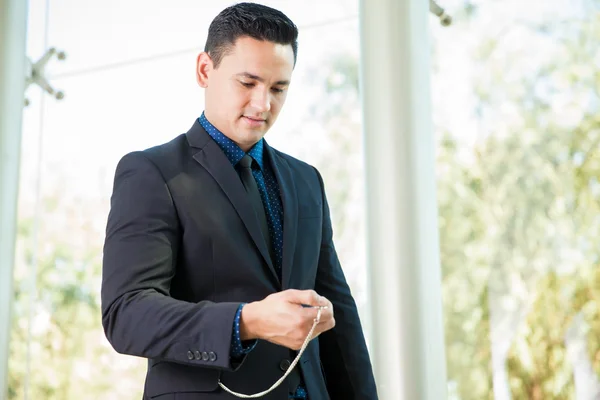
515 90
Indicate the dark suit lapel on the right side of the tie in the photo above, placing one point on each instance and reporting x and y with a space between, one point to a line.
287 190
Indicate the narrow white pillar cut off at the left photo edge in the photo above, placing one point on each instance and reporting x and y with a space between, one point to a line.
13 29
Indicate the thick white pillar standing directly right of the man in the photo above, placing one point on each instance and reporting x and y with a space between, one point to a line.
404 266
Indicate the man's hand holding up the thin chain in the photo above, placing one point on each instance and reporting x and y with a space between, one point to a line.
281 318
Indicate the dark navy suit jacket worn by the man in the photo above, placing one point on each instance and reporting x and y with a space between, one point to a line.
184 248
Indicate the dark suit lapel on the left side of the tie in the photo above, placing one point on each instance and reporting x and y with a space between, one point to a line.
212 158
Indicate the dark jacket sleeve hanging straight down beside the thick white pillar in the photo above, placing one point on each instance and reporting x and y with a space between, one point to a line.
343 349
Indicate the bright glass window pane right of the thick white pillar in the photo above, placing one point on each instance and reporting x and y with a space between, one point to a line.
515 88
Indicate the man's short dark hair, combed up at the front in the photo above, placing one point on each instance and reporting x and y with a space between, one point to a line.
249 20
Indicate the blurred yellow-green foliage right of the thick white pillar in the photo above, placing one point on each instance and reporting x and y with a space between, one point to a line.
521 220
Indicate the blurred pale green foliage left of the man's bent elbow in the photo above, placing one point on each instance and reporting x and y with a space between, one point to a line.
69 358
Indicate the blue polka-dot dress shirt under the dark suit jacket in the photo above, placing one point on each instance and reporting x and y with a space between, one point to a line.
269 193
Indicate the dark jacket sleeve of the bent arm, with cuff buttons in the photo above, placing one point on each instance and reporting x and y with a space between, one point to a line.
140 259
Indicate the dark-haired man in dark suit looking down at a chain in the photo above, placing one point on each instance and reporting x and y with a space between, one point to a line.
219 248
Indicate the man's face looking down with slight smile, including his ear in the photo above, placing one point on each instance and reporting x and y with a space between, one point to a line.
245 94
